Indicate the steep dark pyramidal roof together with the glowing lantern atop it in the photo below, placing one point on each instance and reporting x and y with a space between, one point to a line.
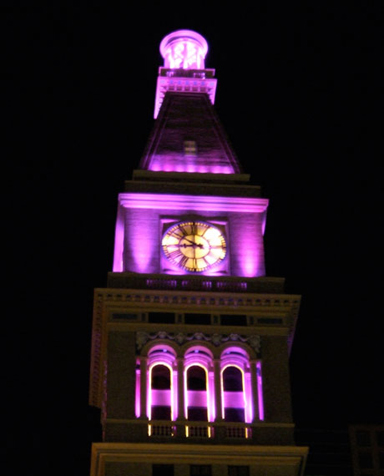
187 135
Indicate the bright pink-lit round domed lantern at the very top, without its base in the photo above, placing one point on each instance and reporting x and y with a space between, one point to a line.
184 49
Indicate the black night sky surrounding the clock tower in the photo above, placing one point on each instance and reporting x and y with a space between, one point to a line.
298 95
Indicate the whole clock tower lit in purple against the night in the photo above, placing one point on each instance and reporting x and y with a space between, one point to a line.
191 340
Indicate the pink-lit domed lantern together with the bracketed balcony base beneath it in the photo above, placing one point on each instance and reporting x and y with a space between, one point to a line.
184 69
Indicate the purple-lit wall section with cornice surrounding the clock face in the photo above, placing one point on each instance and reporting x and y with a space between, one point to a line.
137 246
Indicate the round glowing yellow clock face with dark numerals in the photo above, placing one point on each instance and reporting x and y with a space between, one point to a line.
194 246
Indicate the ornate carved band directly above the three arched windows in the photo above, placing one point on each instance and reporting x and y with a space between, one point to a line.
180 338
